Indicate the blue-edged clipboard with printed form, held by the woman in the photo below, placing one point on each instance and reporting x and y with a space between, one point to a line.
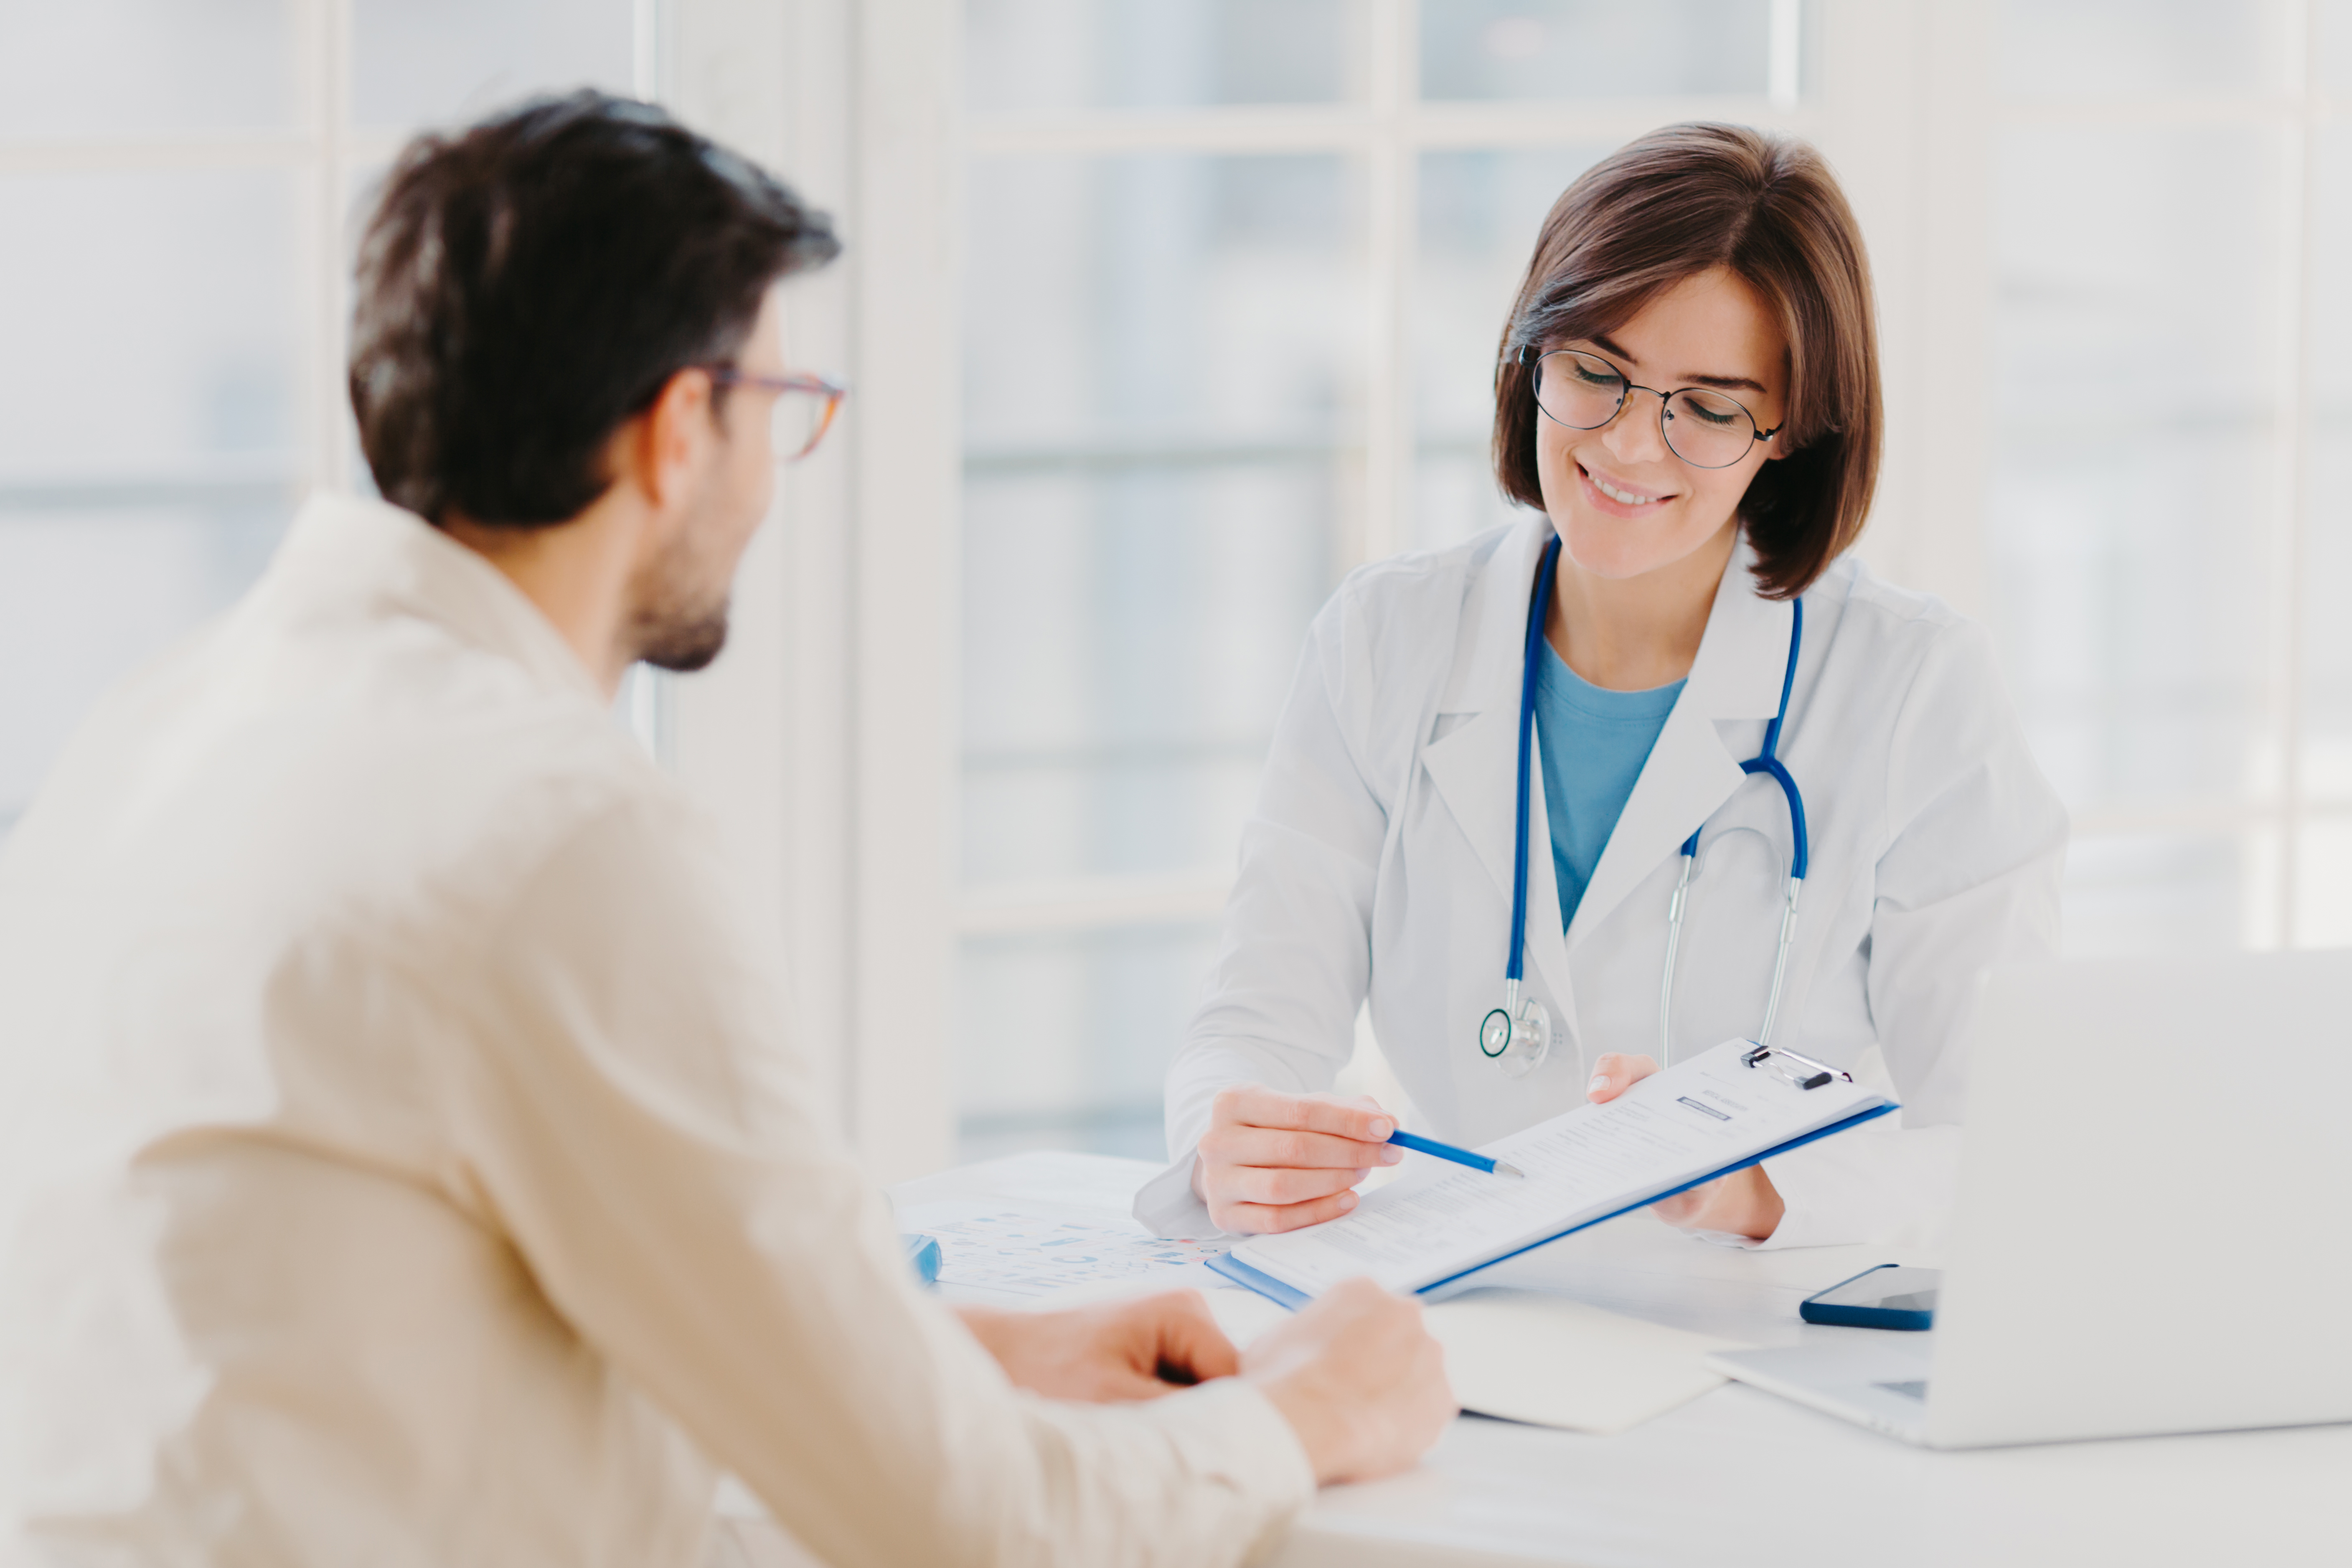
1688 1125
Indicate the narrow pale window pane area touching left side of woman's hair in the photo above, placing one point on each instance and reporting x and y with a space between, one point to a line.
1476 232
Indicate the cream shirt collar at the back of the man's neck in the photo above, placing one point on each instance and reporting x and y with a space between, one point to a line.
354 556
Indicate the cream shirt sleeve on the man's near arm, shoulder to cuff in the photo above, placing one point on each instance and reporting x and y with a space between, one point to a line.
662 1162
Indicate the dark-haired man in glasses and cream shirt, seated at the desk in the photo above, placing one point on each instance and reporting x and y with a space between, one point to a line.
401 1160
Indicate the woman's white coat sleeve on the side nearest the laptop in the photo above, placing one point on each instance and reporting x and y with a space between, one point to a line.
1970 880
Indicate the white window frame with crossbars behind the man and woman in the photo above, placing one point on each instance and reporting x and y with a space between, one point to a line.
827 742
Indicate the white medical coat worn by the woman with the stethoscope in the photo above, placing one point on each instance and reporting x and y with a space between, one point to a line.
1379 864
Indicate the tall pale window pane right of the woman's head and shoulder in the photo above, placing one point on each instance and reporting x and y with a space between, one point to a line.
2132 481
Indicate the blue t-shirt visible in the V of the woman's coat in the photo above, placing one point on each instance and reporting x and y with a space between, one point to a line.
1593 746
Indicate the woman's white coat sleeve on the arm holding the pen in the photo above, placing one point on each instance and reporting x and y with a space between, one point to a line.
1295 958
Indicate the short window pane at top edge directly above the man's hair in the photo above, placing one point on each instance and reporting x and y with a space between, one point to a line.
429 62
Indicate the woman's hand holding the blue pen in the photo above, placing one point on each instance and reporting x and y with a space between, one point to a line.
1278 1162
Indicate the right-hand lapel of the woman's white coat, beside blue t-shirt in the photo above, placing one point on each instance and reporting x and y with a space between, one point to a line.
1697 765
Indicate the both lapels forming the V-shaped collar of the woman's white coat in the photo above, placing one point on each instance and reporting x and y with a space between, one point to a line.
1688 777
